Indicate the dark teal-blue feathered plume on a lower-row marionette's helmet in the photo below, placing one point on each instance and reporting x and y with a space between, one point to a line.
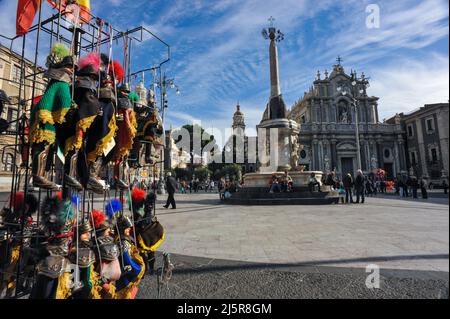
56 215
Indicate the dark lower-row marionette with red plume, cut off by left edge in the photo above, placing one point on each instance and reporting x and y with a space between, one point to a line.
21 208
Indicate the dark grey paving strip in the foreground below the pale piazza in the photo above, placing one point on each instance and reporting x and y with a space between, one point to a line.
199 278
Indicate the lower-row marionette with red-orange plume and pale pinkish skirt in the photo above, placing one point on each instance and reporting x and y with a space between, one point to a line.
107 253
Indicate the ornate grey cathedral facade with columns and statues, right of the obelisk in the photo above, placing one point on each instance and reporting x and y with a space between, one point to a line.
328 114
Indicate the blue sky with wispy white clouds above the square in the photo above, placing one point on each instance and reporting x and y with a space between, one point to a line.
219 56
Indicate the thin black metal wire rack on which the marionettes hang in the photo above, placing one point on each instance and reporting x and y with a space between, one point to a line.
92 36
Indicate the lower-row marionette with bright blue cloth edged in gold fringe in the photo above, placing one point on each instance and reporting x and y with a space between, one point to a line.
133 267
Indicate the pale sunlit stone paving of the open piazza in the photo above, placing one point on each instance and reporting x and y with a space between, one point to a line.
389 232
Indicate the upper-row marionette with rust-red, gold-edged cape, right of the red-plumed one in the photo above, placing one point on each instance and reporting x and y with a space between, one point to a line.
127 128
